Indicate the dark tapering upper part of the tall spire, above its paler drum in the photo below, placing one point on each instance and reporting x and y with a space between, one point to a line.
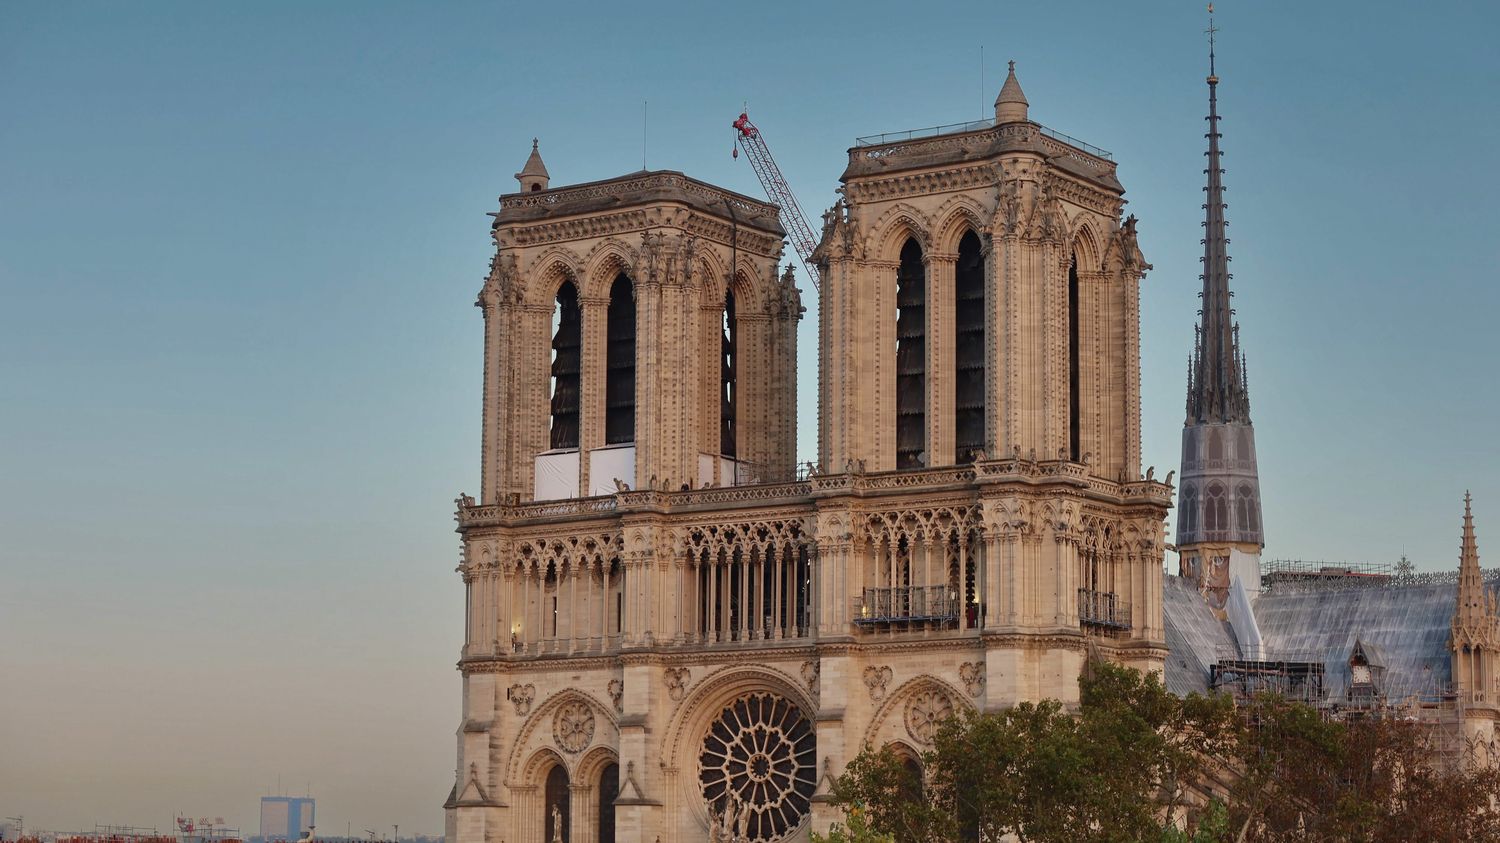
1219 386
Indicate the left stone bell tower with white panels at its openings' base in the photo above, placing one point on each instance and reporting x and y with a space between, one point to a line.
601 304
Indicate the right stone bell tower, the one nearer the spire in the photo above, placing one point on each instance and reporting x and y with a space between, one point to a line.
982 302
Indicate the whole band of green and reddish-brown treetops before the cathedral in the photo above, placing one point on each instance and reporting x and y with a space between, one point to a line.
1136 763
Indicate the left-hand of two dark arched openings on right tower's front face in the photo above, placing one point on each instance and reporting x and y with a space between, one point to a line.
911 359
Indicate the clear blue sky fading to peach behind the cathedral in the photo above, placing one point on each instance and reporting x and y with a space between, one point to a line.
241 368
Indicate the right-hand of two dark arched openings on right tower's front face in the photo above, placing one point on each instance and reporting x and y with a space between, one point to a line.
968 400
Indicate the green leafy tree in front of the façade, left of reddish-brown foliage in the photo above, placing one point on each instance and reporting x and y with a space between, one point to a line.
1046 775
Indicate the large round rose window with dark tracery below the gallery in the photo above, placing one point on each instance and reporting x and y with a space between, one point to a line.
758 767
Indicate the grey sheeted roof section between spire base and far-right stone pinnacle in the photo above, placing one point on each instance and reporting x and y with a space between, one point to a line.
1406 625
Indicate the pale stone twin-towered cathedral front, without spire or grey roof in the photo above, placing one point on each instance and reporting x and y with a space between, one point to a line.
677 635
